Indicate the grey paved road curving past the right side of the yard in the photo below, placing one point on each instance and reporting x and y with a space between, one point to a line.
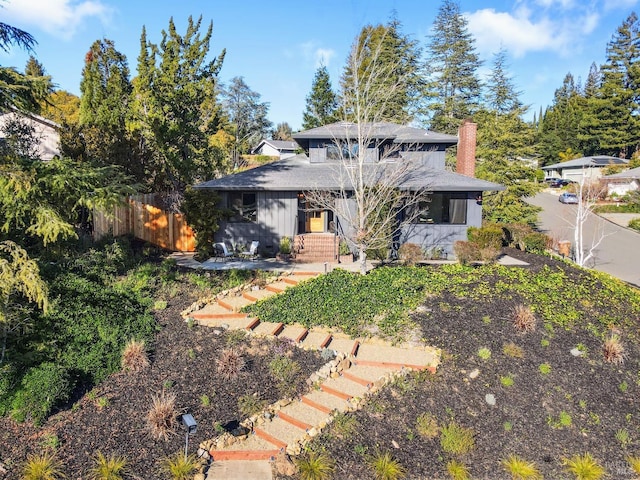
619 252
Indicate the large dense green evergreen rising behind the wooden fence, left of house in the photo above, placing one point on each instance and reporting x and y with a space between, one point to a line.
175 108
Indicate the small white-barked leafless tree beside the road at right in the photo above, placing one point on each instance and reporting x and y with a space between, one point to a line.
588 192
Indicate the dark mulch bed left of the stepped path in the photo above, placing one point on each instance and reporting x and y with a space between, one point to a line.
183 363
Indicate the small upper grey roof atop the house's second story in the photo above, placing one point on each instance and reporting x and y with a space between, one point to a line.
381 130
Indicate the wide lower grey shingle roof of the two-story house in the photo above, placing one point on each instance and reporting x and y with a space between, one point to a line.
298 174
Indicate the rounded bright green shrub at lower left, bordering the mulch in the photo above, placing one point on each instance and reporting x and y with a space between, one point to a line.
42 389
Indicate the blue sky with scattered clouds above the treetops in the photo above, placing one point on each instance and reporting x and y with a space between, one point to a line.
277 45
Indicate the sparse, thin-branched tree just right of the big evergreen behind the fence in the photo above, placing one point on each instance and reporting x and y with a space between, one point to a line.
247 116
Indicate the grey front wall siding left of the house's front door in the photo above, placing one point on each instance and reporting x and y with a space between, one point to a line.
276 213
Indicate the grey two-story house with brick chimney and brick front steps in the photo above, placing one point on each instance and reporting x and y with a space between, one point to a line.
269 201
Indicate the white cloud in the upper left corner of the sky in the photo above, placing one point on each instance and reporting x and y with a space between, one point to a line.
60 18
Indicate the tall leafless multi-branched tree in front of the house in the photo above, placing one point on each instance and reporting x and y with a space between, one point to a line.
379 191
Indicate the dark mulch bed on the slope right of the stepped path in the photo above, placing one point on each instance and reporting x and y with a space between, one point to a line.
601 398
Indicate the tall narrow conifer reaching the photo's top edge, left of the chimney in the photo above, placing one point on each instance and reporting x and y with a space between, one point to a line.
454 88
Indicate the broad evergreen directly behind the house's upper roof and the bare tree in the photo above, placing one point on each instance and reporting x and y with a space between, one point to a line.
386 49
